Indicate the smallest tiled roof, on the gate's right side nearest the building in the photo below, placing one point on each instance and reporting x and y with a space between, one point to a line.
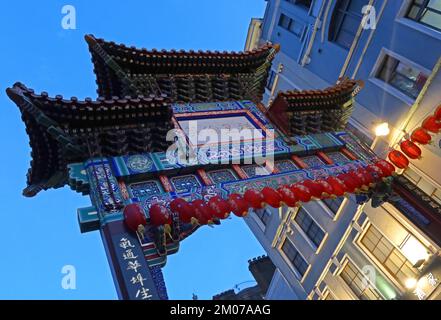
314 111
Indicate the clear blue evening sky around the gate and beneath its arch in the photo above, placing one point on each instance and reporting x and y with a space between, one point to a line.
40 235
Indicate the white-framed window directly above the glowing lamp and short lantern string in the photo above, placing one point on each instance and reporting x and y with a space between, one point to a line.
403 77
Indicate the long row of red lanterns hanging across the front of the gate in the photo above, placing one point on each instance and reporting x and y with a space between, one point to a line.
199 212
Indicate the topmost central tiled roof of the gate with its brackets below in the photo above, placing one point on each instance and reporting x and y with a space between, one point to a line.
184 76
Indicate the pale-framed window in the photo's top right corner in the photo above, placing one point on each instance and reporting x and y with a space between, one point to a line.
426 12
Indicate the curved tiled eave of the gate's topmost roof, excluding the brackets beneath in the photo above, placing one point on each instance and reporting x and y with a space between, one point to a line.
153 62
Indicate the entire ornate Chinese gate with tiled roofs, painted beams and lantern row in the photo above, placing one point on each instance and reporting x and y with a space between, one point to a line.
114 149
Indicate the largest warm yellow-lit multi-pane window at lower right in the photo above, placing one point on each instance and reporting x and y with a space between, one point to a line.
388 256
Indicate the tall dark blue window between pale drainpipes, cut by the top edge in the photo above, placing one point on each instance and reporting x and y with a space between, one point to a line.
345 21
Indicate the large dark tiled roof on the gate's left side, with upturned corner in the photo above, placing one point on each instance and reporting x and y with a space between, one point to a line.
62 131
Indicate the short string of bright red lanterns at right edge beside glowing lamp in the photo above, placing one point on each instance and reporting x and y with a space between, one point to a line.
421 135
